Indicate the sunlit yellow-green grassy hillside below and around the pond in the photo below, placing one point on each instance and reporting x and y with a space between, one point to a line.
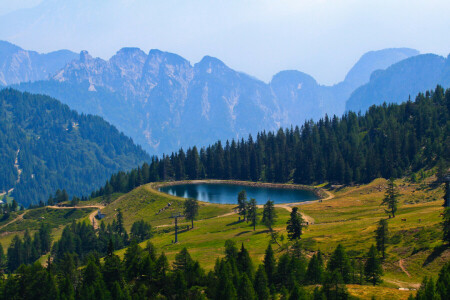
349 218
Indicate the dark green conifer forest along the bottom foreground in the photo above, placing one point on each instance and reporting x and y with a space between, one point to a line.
145 274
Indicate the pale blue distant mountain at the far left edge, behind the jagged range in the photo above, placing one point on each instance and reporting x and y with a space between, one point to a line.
18 65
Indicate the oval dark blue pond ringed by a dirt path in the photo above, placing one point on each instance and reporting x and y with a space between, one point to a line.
227 193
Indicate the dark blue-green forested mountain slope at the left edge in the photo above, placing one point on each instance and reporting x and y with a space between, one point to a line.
44 146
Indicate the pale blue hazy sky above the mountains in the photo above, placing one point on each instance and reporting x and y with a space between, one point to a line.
323 38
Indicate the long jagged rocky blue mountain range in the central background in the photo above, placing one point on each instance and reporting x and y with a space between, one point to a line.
163 102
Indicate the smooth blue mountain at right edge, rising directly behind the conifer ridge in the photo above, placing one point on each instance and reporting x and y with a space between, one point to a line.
401 80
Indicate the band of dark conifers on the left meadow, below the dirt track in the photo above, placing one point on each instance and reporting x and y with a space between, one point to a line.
79 239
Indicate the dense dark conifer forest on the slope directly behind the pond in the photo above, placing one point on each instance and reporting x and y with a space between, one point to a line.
388 141
